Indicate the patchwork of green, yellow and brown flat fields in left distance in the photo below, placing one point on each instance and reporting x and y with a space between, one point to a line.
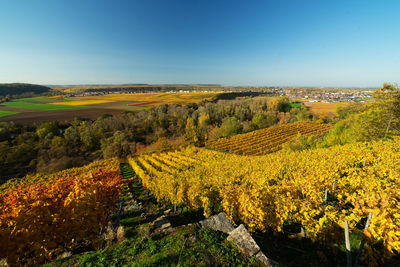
39 109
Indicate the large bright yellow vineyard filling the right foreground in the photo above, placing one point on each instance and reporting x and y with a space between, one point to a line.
318 190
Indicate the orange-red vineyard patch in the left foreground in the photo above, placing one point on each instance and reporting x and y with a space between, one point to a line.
42 215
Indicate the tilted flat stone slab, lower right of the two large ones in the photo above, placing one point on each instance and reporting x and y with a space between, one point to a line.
243 240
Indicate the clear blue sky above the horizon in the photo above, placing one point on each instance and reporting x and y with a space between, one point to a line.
293 43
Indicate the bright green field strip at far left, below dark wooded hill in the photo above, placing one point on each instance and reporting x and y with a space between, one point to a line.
26 103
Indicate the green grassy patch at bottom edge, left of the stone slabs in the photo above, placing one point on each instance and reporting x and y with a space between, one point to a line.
186 246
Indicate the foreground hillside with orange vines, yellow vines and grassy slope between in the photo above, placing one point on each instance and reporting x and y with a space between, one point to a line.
291 202
